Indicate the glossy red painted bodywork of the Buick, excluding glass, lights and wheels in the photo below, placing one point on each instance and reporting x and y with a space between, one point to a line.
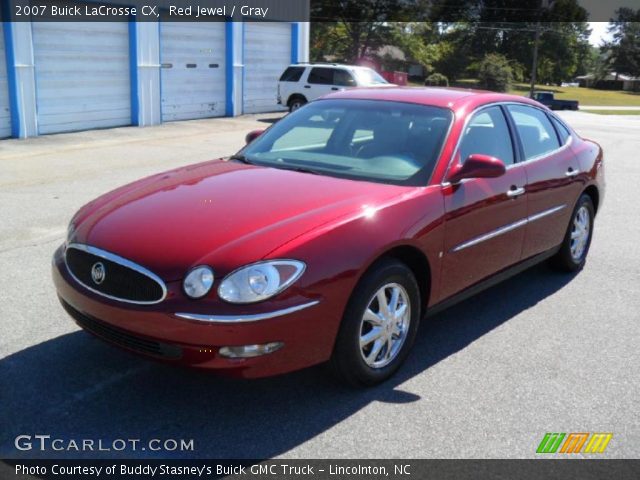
227 214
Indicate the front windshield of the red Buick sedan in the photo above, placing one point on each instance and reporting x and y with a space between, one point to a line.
380 141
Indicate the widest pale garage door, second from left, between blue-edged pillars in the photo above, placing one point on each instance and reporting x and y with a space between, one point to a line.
82 75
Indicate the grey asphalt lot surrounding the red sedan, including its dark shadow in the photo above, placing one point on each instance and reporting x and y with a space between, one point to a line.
543 352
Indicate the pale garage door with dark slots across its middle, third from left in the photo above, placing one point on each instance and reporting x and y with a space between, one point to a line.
193 70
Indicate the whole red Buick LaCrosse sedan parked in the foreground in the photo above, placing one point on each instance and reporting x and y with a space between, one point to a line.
331 234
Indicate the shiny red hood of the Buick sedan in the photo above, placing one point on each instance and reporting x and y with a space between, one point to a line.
221 213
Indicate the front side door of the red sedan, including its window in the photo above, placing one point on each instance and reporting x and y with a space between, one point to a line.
485 217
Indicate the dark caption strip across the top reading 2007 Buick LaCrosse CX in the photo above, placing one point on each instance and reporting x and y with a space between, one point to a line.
313 10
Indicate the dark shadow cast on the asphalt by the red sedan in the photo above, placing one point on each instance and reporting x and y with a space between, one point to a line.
75 386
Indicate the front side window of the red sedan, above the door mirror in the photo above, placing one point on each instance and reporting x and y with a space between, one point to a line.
488 134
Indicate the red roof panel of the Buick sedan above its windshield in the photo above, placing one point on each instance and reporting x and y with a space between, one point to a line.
452 98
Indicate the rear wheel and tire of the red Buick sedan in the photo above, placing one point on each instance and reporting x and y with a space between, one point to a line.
575 246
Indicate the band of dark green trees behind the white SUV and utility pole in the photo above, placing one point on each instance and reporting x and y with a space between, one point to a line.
455 49
